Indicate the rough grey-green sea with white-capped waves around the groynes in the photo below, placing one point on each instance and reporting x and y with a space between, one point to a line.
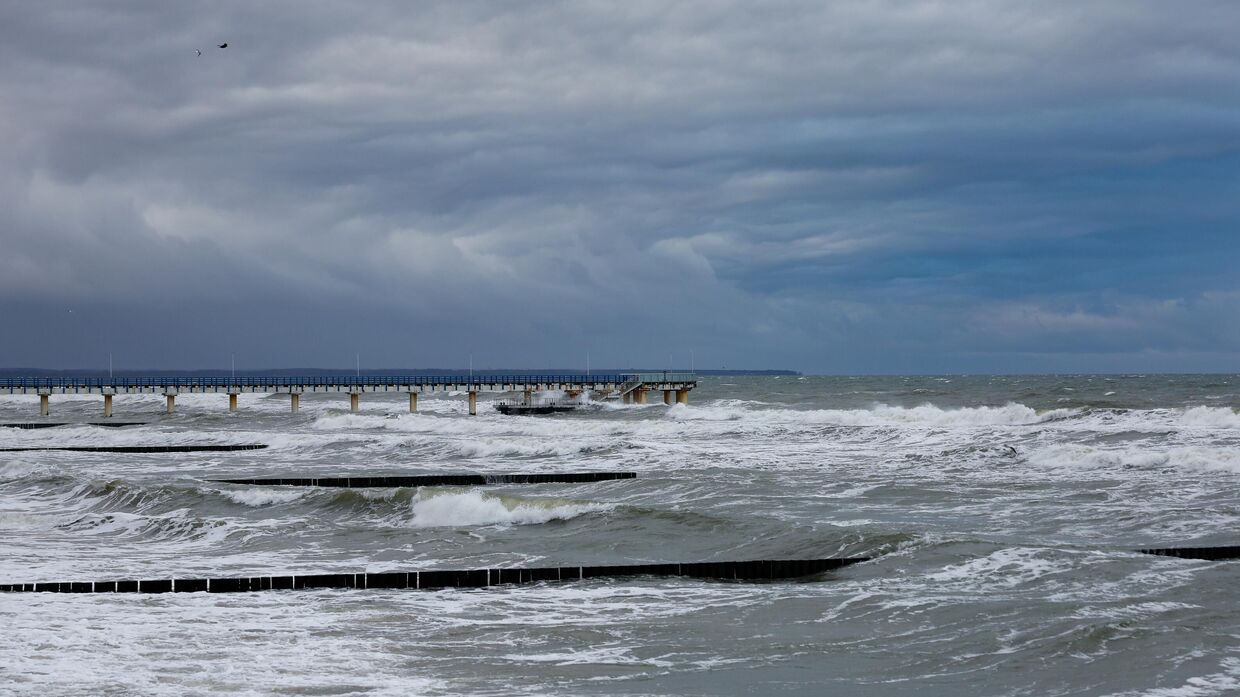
1003 513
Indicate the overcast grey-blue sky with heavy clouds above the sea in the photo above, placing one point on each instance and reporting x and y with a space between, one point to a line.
839 188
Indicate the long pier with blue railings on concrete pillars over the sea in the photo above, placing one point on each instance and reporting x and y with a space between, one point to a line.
632 389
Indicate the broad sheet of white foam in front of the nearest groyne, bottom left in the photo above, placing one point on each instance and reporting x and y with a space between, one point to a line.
197 644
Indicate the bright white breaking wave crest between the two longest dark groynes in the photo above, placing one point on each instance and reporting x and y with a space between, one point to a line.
476 509
